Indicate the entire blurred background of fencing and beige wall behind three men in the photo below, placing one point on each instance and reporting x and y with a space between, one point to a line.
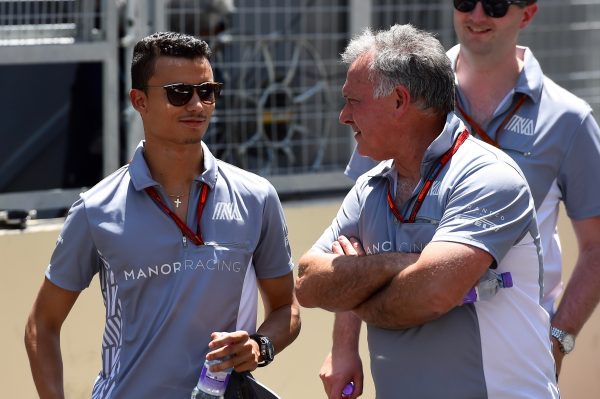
67 122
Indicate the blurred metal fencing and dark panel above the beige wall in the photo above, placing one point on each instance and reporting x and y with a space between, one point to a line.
64 74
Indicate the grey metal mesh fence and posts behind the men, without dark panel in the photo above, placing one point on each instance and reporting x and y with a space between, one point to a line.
279 60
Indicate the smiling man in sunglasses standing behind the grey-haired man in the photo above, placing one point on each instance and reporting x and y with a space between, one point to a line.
503 95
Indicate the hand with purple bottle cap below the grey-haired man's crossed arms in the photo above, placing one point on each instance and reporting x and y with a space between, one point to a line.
339 370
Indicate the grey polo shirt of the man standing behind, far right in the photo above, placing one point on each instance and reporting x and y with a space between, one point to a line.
555 141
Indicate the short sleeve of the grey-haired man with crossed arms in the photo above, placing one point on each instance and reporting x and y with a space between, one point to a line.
490 208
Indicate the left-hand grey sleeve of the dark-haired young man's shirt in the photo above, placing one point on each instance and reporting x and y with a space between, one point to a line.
75 259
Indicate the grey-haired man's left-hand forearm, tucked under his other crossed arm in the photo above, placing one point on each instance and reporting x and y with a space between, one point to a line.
340 283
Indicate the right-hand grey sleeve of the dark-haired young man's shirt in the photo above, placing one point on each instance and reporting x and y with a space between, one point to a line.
272 256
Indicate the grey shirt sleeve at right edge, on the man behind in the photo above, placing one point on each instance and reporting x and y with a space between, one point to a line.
579 174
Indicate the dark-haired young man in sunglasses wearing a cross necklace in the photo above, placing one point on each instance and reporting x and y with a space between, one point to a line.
181 242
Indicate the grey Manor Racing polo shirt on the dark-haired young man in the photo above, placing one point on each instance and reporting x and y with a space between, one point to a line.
163 296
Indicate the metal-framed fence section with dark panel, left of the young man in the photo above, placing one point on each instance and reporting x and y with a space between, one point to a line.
43 45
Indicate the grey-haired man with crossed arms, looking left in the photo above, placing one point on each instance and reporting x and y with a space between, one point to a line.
418 231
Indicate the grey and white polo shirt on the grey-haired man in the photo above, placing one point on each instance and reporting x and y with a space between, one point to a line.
481 199
